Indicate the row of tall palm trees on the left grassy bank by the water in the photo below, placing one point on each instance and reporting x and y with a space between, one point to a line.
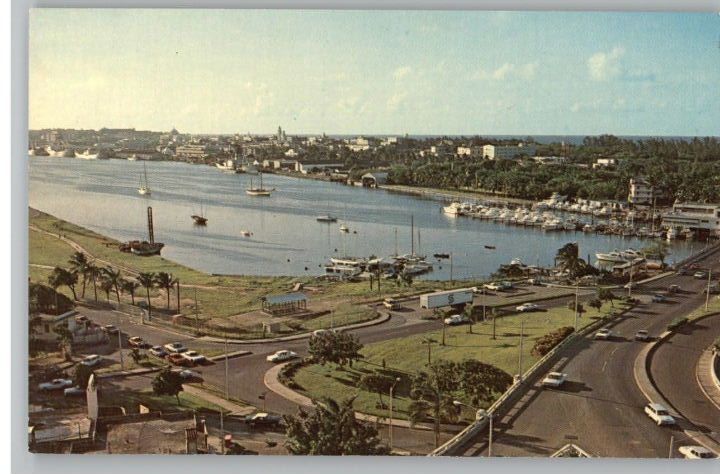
82 270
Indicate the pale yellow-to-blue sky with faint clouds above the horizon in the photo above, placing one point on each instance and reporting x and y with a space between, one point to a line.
376 72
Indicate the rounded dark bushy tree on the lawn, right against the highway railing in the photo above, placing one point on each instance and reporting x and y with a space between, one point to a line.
480 382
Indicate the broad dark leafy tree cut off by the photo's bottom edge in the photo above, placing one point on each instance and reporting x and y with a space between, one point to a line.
331 430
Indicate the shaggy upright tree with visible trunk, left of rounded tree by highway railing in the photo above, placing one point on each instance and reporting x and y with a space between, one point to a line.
432 394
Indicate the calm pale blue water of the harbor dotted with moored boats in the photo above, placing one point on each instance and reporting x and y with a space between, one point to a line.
102 195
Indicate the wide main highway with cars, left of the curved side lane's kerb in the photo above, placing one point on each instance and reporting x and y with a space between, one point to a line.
601 408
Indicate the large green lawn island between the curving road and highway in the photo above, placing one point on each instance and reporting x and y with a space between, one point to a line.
406 356
